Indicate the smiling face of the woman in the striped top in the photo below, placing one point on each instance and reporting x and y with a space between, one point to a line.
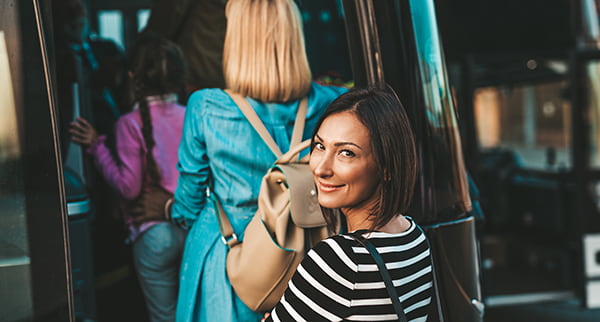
343 164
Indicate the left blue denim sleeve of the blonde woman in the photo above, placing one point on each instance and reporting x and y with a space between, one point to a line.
190 195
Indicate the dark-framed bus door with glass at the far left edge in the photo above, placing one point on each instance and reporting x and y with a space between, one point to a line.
35 275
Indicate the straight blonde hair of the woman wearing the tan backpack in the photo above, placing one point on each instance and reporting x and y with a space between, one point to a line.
264 55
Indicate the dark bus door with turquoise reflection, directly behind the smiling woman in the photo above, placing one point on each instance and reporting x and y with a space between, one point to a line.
397 43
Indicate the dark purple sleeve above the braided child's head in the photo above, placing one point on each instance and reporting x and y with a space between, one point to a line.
166 16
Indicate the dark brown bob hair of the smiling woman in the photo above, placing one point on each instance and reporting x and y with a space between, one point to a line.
393 144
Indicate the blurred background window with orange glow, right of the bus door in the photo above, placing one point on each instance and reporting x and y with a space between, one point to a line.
533 121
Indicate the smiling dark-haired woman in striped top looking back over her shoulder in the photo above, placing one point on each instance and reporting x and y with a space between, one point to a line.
363 161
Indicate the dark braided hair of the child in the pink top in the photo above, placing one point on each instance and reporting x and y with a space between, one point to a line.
158 69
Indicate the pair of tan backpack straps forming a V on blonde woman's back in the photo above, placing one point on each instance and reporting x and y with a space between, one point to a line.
260 128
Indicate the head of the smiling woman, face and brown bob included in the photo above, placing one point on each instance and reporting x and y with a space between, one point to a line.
373 141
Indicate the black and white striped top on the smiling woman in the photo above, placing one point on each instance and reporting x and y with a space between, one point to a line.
338 280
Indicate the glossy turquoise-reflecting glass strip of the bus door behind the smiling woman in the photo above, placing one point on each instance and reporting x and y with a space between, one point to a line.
450 179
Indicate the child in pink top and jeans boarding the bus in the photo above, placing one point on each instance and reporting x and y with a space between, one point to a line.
145 167
